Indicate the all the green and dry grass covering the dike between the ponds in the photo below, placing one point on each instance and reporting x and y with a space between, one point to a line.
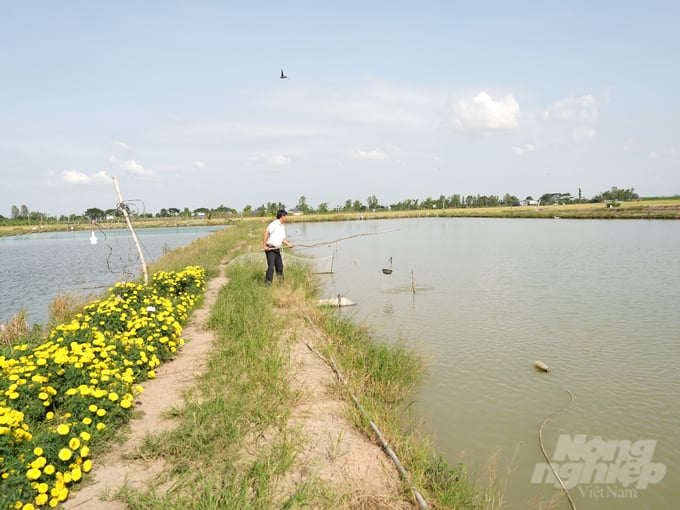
233 448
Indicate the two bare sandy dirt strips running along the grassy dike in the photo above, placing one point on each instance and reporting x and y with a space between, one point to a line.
332 449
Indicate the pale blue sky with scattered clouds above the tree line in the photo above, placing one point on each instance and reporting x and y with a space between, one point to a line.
182 102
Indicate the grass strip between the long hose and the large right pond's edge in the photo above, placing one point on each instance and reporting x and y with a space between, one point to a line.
385 377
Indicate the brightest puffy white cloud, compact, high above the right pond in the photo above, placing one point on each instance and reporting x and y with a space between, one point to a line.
484 116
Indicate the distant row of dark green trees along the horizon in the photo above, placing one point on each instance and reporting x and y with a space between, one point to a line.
23 215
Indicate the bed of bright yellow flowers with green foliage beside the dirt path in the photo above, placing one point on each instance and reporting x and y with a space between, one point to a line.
57 397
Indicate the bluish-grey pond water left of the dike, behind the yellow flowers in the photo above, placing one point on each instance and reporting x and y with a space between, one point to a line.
34 268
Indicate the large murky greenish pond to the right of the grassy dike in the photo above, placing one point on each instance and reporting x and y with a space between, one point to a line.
482 299
